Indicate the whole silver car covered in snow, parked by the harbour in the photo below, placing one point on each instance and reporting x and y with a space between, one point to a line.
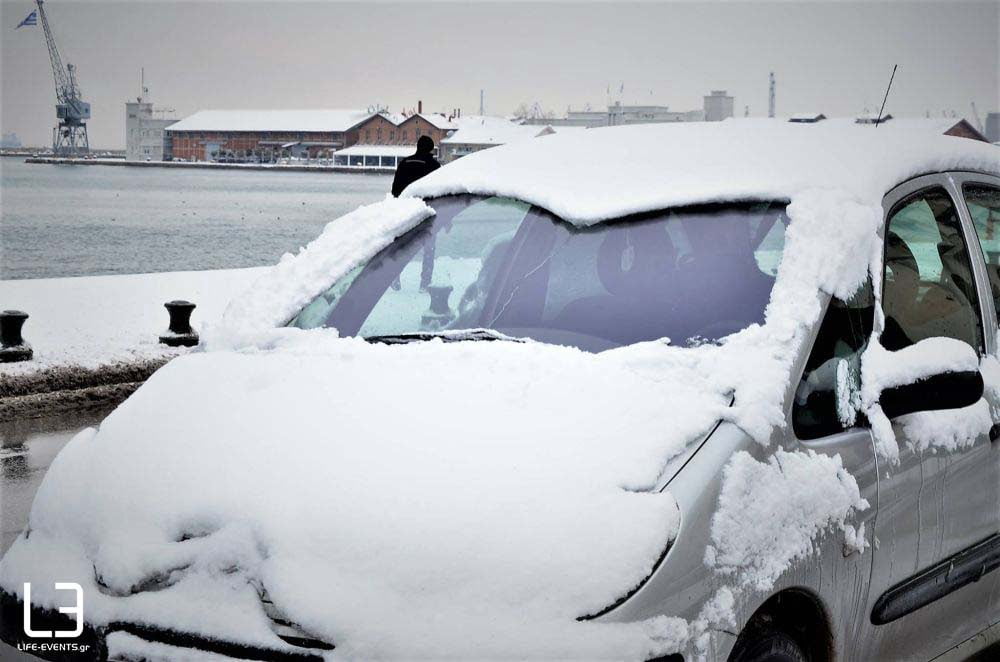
715 391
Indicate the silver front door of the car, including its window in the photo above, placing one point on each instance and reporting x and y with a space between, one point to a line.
939 503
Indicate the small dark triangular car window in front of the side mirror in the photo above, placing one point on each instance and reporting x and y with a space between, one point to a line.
823 403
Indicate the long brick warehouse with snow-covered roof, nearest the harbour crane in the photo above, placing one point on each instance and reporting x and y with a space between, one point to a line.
213 135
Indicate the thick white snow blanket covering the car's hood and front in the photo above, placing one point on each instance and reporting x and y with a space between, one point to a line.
432 499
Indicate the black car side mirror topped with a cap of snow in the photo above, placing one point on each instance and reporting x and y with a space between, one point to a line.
943 374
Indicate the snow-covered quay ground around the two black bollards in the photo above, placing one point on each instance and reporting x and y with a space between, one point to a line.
97 320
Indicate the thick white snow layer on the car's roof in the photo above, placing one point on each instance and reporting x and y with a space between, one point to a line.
591 176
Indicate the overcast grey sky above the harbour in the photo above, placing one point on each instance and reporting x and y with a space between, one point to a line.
831 57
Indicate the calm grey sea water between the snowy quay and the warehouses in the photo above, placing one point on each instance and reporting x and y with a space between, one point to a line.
76 220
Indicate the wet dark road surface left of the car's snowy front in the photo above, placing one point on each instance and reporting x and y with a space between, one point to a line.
27 448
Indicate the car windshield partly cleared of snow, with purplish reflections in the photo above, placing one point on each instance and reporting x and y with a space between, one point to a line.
691 274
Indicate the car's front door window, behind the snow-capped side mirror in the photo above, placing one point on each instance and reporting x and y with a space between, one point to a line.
928 289
